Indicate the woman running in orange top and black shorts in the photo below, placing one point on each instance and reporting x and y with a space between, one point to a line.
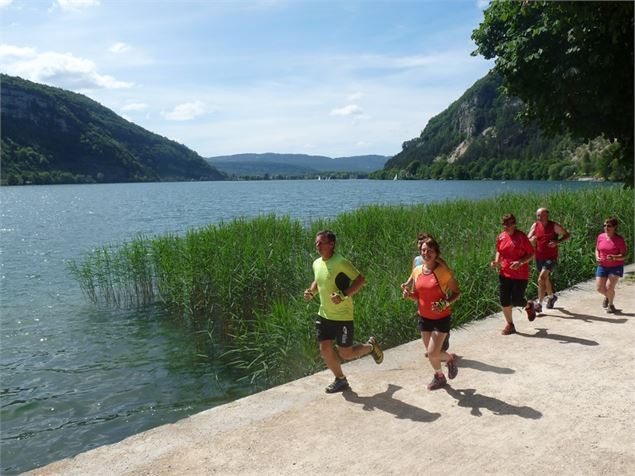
434 290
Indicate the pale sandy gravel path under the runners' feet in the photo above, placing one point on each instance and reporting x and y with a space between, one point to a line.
556 398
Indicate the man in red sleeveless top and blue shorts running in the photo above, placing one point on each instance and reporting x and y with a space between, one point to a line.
545 235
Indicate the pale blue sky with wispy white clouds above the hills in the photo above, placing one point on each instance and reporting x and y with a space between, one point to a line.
333 78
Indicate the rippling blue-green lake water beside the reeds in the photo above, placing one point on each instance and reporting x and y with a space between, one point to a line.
75 377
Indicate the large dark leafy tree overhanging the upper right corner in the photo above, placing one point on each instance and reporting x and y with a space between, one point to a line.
570 62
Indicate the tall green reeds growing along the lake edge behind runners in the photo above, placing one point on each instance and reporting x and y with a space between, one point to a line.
241 282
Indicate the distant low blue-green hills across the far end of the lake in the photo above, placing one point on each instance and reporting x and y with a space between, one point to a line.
294 165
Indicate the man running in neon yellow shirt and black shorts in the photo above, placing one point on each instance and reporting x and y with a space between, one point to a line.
334 321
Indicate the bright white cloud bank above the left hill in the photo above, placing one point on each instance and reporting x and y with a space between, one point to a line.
57 69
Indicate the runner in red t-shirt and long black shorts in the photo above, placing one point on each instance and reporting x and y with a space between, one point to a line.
513 253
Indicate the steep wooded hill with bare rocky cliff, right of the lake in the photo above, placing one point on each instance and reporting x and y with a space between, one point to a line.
478 137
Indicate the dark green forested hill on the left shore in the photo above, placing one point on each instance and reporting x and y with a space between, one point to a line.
50 135
